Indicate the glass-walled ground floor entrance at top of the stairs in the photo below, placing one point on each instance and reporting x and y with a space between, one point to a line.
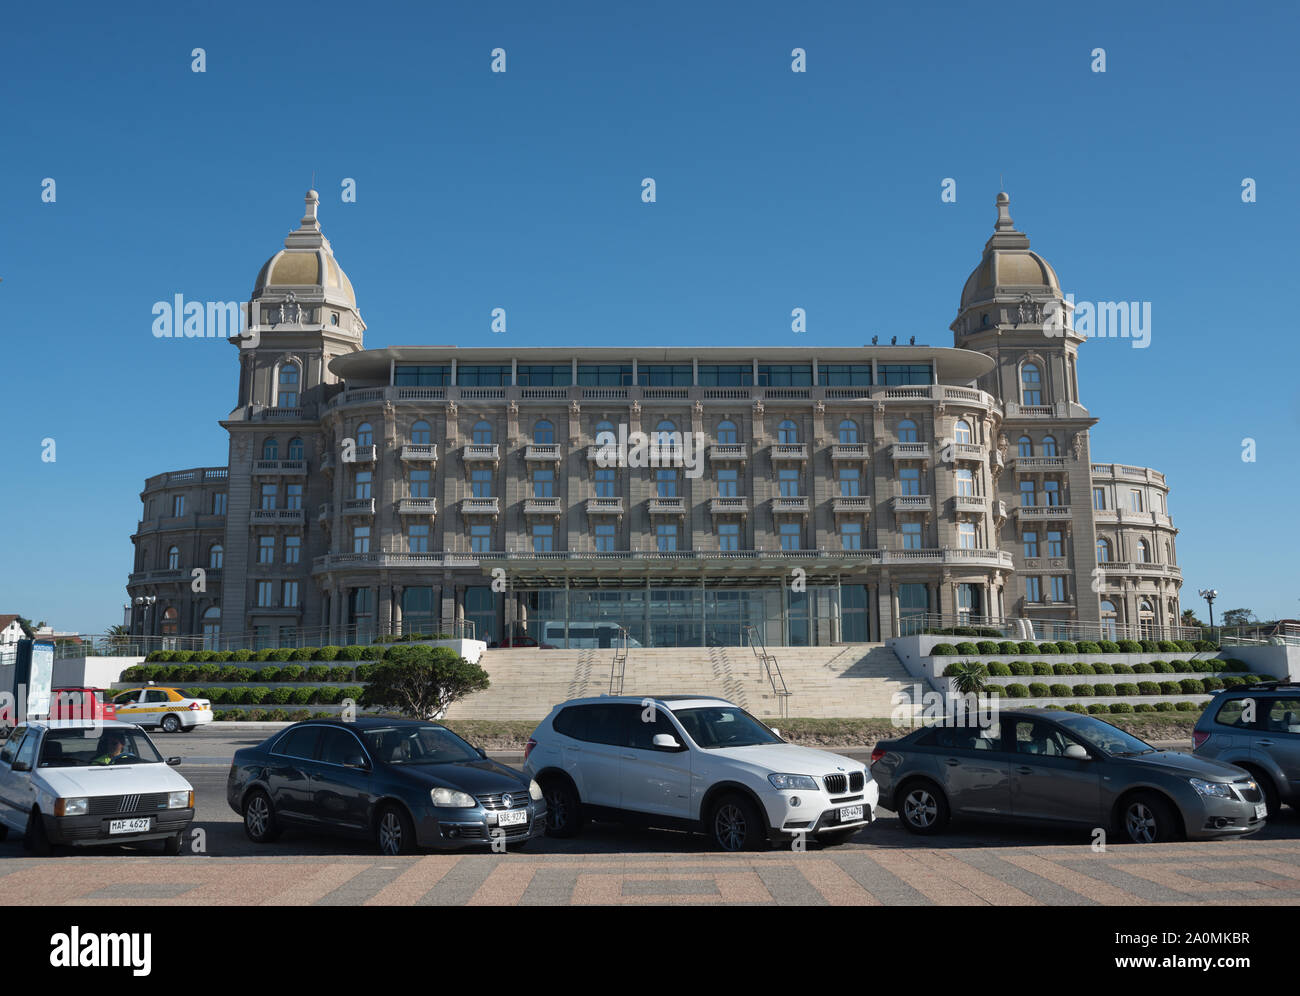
696 616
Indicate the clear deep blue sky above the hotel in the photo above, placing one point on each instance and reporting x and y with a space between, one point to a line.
522 190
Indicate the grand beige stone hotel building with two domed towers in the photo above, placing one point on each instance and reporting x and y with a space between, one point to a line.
847 495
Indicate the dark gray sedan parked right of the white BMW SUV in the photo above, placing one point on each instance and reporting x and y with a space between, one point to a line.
1050 767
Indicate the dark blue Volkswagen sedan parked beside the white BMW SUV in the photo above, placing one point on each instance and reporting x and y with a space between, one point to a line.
406 785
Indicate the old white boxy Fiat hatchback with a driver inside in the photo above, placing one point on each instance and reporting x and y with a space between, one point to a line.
90 783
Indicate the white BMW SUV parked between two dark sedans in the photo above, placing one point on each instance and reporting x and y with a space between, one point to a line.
692 763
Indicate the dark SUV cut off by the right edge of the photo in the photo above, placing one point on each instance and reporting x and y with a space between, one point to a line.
1258 727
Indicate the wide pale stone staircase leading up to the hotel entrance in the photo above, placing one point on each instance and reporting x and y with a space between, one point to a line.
853 681
